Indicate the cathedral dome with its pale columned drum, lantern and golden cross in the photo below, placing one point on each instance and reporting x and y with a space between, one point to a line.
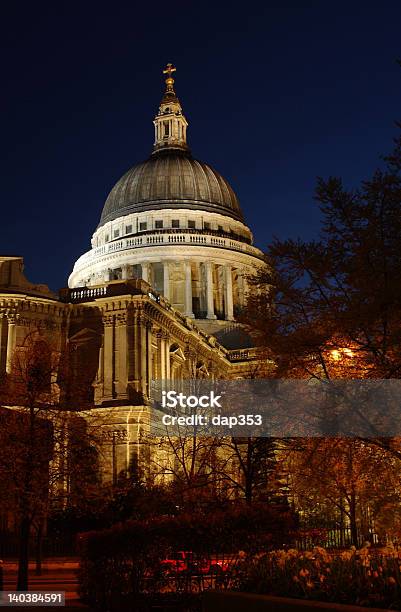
176 223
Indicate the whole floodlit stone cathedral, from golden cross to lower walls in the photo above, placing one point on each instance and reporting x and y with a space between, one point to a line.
165 277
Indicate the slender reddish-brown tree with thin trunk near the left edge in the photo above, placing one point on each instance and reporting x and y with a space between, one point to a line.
27 439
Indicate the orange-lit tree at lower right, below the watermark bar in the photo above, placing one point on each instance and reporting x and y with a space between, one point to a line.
347 481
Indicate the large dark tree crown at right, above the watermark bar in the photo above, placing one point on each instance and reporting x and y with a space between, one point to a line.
331 308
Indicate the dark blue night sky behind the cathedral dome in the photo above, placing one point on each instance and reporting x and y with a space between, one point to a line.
275 93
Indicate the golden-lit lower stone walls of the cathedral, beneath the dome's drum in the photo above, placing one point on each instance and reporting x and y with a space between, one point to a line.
123 336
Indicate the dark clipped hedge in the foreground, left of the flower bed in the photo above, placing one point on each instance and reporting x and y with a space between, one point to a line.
126 558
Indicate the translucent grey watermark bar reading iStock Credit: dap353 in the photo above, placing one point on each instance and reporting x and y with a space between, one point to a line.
276 408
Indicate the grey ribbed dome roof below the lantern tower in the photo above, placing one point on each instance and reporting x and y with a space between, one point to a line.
171 179
